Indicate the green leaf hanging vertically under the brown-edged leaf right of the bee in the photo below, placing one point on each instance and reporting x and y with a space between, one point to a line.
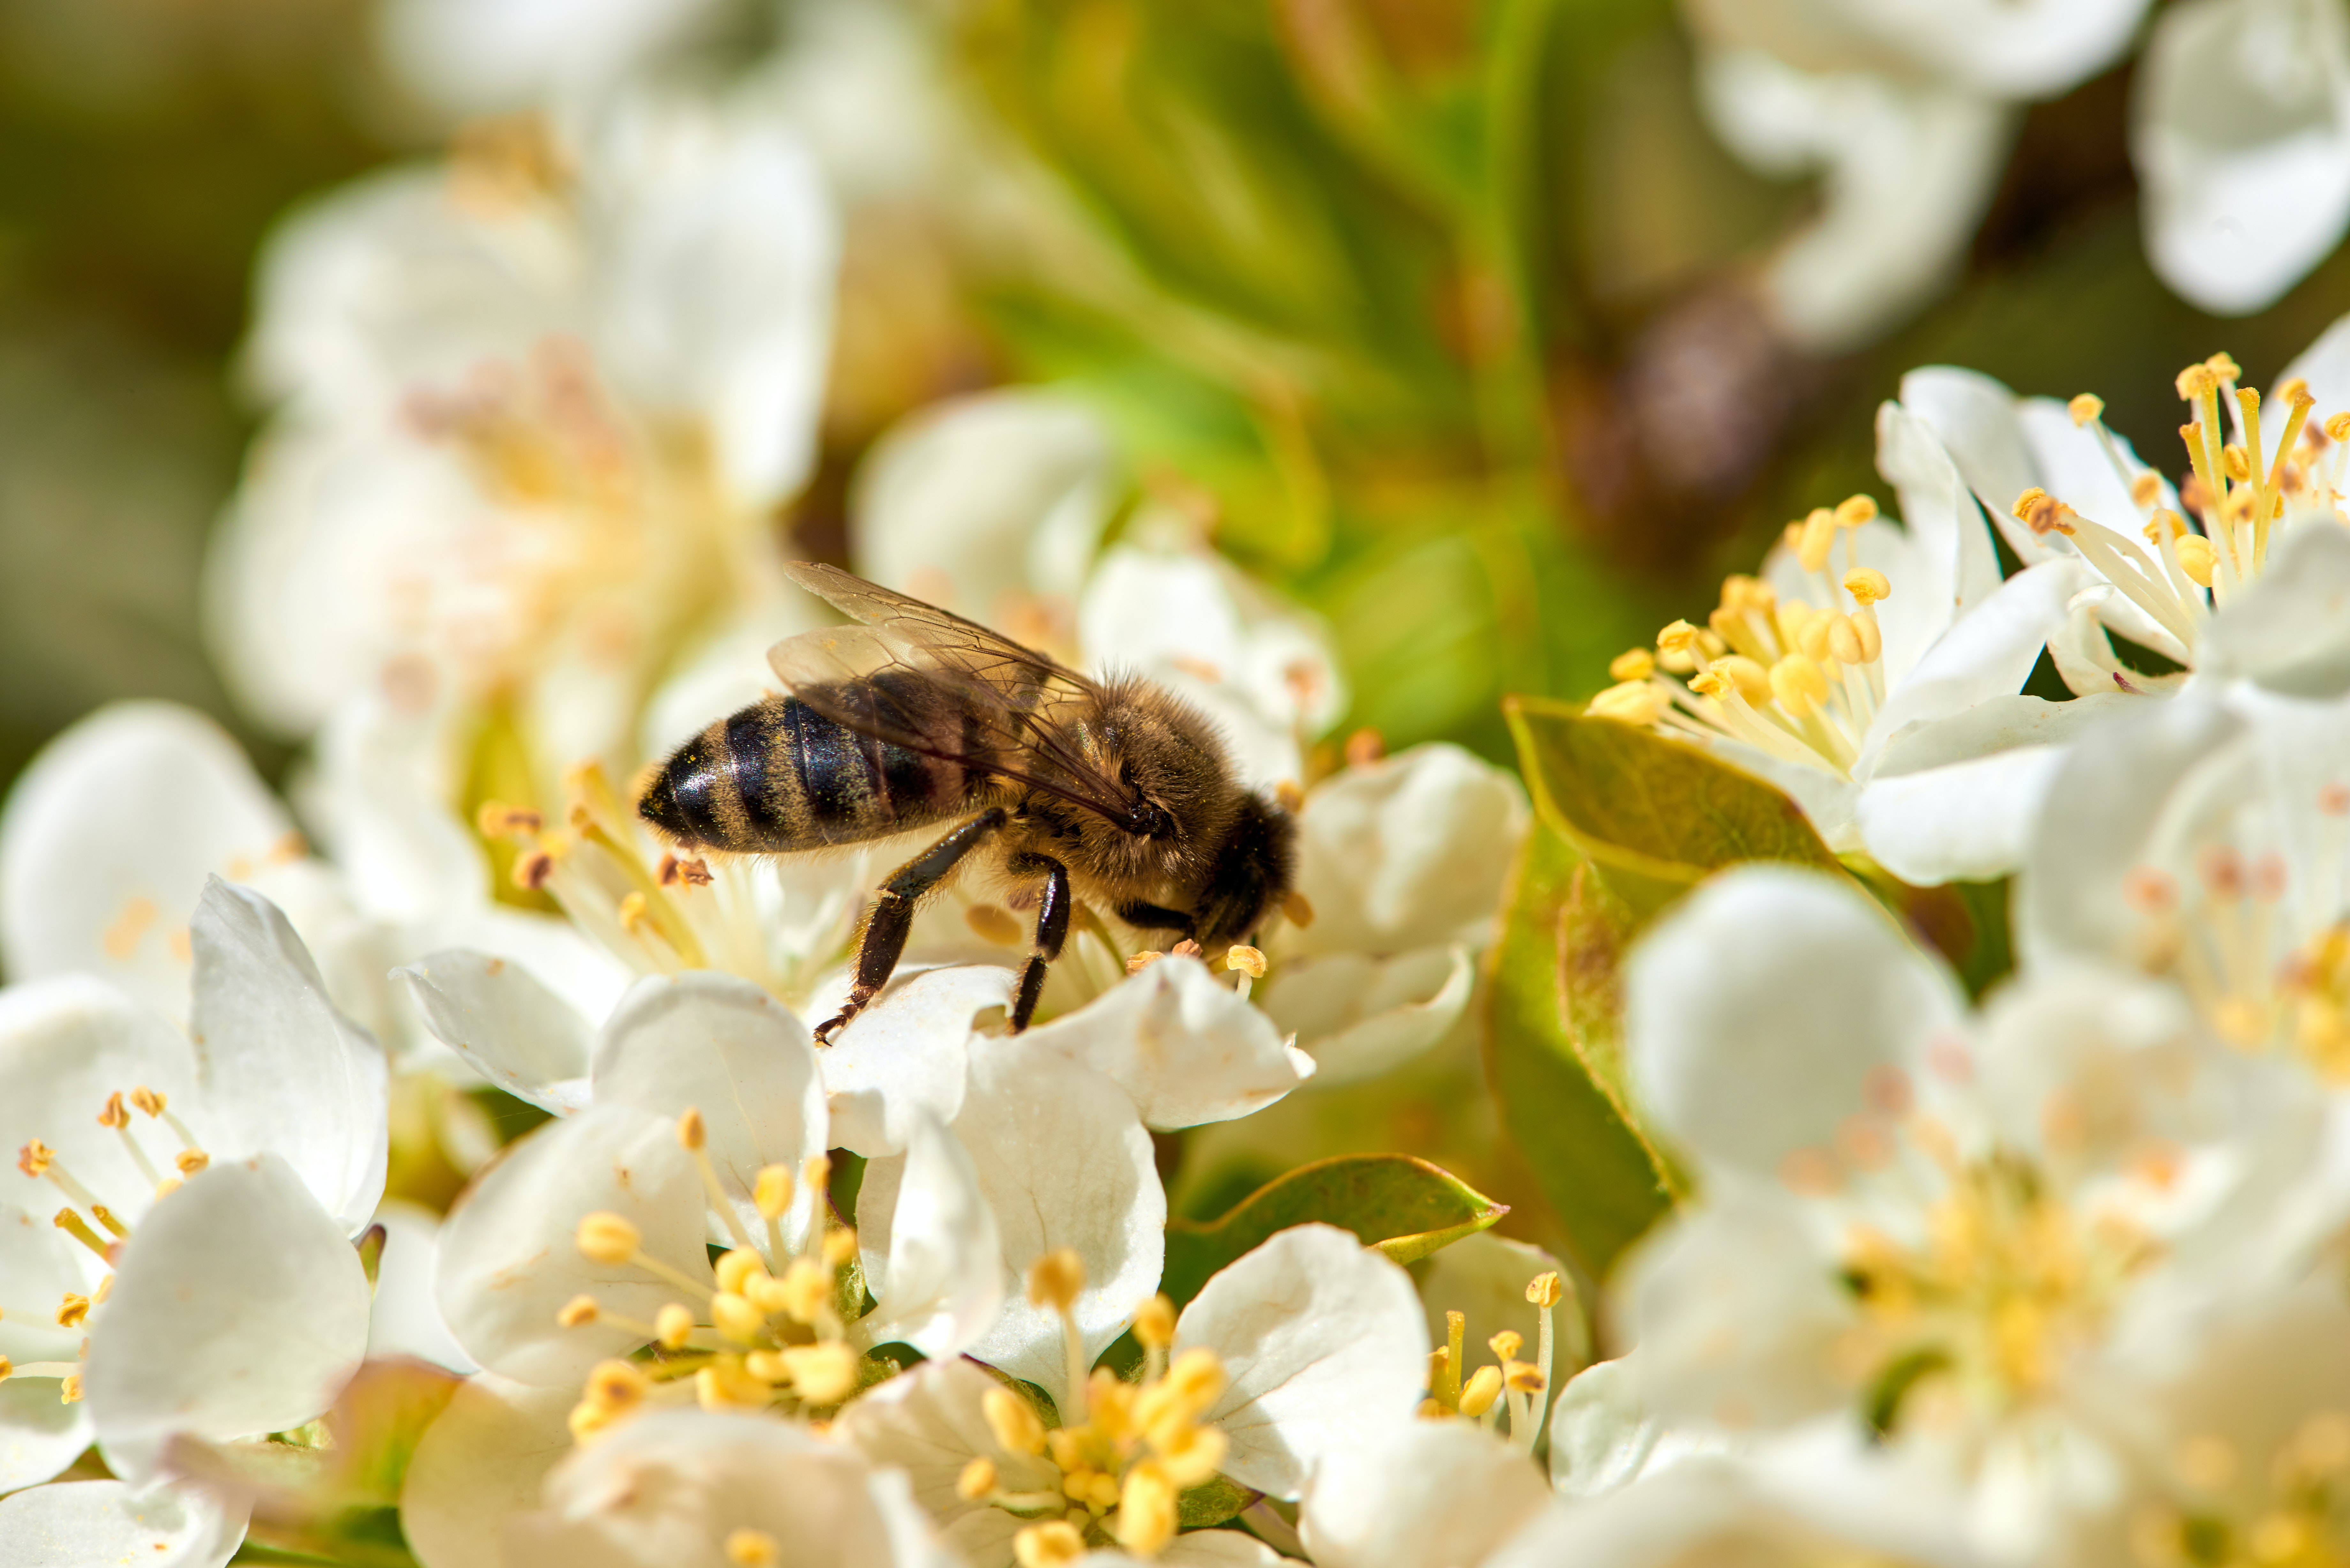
1555 1059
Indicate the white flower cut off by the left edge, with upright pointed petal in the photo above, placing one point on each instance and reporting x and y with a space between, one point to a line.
210 1193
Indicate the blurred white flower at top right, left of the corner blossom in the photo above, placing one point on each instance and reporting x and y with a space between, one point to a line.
1909 112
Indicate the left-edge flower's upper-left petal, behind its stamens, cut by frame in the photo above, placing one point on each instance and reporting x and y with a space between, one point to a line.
65 1047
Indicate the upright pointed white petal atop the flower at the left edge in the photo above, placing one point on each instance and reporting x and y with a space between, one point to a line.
278 1066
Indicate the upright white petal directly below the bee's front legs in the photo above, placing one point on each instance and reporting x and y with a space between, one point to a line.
1063 1162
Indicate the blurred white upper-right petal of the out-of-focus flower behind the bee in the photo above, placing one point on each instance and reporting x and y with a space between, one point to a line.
716 295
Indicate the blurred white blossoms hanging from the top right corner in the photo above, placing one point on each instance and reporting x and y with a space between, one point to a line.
2241 126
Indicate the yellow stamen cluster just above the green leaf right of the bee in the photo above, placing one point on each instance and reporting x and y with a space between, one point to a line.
1797 681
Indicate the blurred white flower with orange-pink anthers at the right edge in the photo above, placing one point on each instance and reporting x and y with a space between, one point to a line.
2205 843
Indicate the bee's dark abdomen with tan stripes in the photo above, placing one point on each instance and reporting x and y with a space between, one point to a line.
781 777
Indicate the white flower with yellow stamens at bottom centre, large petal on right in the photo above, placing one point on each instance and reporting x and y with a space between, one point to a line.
1305 1348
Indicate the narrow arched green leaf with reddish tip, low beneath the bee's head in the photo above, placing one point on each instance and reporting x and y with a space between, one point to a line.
1395 1202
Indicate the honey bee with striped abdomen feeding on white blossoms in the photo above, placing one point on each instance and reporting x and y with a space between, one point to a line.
1108 791
